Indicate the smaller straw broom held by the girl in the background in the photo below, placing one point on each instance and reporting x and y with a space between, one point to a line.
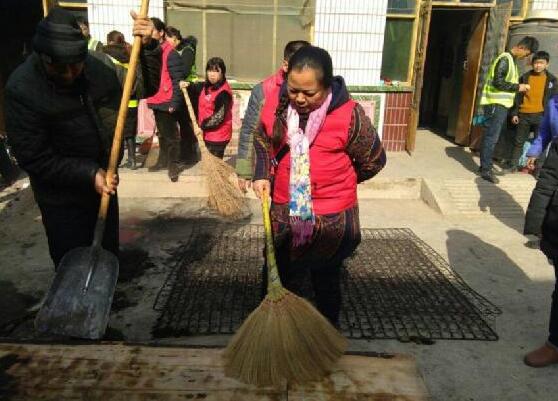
224 195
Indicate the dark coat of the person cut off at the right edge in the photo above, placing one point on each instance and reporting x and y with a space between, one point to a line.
542 214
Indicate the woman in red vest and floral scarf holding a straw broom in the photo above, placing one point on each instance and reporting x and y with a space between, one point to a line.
311 152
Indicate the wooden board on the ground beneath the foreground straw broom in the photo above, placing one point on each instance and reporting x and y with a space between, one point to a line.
110 372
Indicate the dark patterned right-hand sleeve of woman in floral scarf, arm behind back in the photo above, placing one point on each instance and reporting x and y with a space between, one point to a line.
364 147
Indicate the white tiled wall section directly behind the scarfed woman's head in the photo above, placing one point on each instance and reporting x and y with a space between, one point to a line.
352 31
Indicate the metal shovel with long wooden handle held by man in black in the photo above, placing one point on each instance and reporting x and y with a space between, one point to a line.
80 297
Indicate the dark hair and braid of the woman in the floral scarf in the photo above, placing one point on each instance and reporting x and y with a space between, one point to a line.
311 57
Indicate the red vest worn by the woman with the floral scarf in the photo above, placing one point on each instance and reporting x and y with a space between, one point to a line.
333 177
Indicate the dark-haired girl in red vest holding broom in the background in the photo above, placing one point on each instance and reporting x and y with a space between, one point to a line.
215 102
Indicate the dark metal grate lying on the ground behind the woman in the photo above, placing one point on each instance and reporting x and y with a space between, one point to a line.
394 287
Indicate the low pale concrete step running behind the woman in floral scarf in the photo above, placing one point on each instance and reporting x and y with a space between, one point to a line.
460 196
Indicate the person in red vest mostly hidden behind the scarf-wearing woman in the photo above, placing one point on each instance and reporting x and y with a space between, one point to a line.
267 89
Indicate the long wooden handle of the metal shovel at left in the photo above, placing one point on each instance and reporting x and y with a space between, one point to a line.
120 122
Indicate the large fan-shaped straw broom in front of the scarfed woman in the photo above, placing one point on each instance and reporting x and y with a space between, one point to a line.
285 338
